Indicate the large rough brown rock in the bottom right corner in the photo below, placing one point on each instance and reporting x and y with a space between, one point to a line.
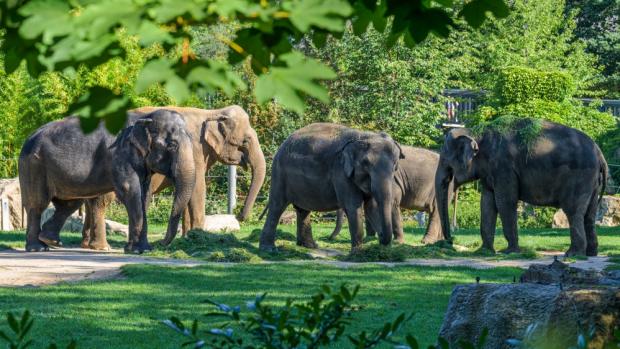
554 314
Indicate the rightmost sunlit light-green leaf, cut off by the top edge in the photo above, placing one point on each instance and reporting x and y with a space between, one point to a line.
326 14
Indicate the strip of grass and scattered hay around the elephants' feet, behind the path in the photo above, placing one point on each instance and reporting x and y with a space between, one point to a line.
243 246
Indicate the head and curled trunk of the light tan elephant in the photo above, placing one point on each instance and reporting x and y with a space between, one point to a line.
234 142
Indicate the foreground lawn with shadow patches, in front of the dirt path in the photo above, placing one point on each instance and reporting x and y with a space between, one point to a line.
126 313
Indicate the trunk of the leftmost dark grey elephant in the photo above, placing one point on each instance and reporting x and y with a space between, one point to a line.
184 177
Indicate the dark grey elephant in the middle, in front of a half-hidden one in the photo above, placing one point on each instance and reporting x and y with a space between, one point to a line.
325 166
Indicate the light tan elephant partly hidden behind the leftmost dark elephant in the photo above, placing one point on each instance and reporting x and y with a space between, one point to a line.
223 135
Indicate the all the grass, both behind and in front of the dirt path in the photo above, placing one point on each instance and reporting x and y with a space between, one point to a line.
126 313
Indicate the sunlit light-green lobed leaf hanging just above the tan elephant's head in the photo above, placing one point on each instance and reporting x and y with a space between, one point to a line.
286 84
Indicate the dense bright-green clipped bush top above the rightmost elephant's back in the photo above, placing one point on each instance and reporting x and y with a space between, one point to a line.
520 85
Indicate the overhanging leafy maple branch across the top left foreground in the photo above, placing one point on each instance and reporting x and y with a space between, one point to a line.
56 35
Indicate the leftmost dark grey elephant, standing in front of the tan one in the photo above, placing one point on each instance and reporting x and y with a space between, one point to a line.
59 163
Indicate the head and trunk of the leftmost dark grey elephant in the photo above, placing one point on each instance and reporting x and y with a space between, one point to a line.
166 147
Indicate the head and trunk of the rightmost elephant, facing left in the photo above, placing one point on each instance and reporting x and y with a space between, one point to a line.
456 162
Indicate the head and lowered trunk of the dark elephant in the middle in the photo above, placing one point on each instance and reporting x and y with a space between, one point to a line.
370 164
